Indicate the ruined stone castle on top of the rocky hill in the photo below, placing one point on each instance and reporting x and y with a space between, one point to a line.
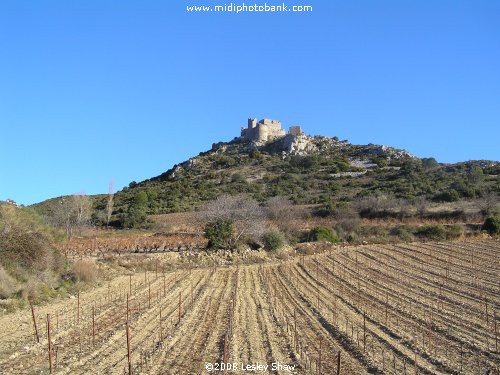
266 130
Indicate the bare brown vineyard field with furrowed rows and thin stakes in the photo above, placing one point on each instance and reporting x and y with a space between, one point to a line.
417 308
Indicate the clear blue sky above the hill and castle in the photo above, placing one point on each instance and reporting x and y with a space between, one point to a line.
94 90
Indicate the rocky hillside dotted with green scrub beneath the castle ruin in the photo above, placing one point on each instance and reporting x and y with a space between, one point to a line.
307 170
